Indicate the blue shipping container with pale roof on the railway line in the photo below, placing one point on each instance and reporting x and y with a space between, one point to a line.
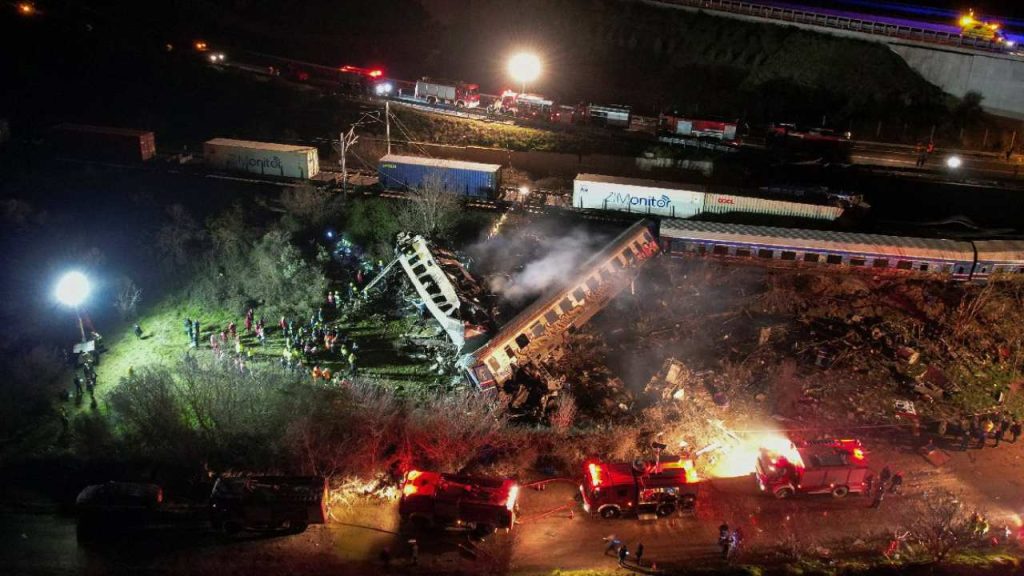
466 179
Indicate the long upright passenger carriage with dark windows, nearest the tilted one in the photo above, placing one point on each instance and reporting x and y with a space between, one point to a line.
937 258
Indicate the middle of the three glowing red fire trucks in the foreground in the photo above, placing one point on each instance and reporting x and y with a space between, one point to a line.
644 487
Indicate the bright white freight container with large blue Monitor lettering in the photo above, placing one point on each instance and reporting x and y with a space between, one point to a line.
637 196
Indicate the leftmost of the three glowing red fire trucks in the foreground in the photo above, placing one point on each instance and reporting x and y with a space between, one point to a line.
480 505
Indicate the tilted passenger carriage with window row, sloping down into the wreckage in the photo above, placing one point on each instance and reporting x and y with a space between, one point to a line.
534 334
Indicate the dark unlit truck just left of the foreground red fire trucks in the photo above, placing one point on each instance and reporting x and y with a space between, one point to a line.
269 504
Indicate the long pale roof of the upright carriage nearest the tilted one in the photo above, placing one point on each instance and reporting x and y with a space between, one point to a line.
895 246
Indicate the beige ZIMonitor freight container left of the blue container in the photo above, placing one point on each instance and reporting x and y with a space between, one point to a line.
290 161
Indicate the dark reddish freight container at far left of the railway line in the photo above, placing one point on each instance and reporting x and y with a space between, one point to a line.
104 143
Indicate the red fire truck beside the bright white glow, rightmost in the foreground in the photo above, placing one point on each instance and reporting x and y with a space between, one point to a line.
825 467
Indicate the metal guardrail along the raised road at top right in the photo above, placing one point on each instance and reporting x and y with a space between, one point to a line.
840 23
